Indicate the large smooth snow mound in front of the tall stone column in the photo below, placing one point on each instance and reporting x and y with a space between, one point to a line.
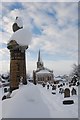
25 103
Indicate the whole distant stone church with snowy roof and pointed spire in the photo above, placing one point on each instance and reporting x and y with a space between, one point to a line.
42 74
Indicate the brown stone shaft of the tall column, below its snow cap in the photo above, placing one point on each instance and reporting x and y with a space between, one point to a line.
17 64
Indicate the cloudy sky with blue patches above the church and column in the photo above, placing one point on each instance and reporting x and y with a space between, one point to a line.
54 29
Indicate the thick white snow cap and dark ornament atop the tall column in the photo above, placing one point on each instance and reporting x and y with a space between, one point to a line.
21 35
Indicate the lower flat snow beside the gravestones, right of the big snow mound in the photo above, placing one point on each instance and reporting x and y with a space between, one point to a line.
56 108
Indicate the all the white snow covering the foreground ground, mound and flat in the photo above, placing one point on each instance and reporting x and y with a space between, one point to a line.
34 101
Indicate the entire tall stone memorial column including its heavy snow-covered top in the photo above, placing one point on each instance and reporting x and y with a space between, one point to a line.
17 45
